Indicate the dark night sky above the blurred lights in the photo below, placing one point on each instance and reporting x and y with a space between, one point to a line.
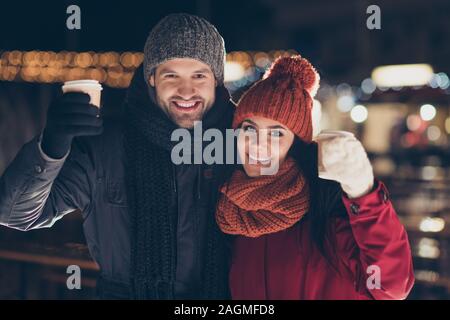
332 33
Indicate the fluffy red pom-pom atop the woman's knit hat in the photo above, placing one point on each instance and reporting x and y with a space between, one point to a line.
297 68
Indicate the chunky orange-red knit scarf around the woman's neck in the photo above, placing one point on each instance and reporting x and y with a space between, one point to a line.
266 204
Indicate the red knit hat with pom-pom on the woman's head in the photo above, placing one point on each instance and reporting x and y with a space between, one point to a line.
284 94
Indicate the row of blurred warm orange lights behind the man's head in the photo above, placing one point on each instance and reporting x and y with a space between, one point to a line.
116 69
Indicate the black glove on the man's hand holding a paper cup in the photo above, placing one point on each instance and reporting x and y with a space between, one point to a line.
69 116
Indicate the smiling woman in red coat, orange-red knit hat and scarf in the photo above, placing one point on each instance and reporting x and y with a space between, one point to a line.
299 236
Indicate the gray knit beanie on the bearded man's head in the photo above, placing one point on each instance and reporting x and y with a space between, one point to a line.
182 35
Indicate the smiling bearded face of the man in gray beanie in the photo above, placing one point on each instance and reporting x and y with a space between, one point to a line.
185 90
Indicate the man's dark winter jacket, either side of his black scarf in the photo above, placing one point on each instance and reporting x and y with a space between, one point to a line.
36 191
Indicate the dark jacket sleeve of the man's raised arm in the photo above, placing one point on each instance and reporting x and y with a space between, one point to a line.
36 191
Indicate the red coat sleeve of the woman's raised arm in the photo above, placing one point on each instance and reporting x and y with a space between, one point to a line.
383 245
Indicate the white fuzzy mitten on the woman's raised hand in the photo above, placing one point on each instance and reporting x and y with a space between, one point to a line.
343 159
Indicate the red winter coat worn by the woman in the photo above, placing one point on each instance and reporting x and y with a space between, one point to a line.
284 265
